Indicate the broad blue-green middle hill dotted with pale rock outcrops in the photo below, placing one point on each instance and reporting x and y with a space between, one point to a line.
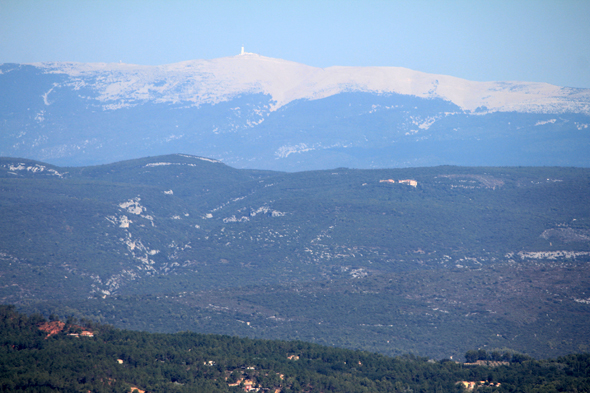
433 261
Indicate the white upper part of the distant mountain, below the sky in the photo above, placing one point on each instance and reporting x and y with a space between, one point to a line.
211 81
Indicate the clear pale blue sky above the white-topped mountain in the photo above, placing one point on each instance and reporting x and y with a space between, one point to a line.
535 40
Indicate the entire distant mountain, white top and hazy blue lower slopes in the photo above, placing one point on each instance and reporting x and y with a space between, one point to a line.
253 111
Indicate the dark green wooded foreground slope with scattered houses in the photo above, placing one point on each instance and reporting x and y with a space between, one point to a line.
112 360
